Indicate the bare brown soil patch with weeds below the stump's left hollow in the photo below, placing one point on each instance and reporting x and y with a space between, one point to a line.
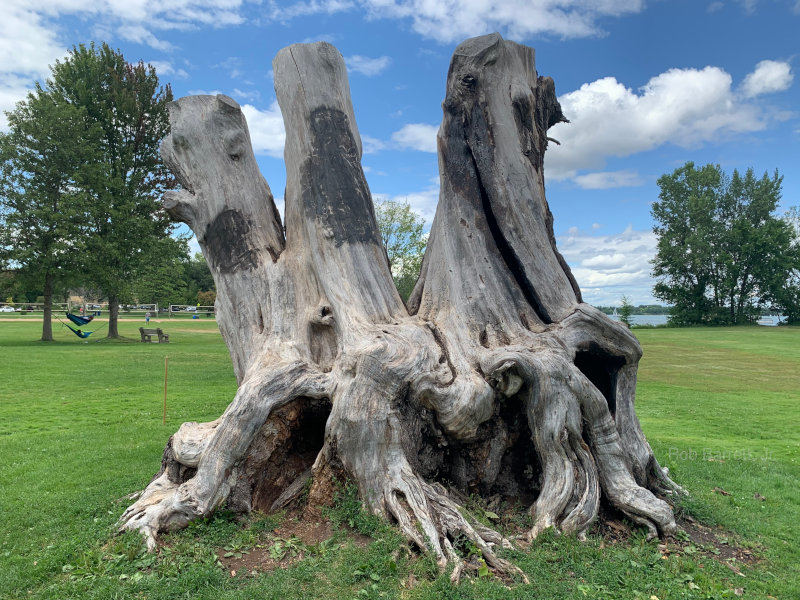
299 536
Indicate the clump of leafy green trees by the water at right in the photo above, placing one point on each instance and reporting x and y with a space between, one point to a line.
722 253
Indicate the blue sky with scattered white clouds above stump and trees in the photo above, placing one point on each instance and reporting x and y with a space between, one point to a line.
647 85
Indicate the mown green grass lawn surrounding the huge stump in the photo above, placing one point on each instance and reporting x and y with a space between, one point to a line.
80 428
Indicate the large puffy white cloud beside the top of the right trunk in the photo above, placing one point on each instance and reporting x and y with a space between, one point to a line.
684 107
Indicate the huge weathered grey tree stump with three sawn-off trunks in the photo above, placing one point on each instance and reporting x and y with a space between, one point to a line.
496 380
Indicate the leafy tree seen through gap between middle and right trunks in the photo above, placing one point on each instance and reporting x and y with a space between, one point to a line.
404 241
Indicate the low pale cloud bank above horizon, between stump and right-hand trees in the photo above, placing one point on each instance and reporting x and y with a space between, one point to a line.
608 266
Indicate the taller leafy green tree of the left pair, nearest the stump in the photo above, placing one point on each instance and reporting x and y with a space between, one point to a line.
122 218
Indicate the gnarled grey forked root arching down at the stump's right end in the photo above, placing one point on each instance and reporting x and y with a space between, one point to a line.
578 444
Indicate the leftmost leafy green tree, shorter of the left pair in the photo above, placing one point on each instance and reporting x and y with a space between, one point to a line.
45 159
